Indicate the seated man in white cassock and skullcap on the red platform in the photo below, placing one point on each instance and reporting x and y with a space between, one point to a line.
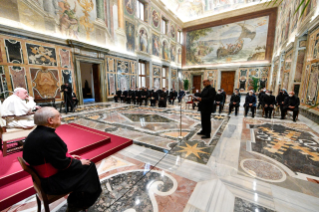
17 105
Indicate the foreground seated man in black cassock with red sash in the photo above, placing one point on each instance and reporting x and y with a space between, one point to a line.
60 172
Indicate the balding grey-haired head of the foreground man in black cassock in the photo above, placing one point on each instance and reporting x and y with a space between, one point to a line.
47 116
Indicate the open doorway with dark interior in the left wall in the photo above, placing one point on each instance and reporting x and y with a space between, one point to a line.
91 88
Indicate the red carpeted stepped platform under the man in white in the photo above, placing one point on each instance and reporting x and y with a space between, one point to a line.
16 185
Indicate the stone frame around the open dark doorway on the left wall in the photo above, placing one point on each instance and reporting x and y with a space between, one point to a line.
78 79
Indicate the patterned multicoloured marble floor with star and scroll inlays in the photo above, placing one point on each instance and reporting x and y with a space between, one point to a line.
247 165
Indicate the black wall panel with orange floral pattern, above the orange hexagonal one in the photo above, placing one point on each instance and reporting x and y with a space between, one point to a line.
41 55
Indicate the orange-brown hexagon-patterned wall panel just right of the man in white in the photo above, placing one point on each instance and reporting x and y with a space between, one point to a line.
46 83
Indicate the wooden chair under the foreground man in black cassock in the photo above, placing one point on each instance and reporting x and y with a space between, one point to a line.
41 195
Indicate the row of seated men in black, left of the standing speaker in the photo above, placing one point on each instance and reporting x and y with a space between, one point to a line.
143 95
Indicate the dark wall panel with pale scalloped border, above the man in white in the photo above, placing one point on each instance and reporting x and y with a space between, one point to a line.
14 51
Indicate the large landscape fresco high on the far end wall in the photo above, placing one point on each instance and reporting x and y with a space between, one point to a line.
234 42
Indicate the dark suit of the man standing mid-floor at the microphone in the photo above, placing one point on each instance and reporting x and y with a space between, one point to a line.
205 107
